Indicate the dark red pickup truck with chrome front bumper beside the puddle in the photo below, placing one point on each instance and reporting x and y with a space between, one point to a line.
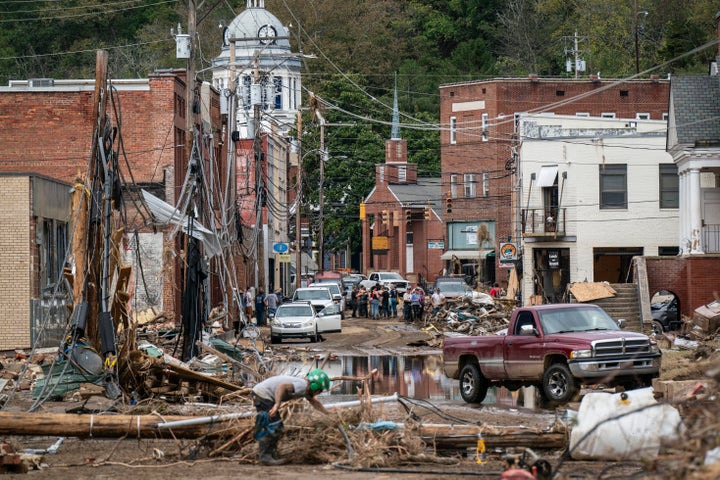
556 347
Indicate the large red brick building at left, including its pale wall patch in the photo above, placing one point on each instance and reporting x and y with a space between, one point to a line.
48 131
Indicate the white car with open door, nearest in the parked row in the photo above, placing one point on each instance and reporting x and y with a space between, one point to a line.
299 320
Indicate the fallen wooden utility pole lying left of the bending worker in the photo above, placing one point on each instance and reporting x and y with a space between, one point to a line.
111 426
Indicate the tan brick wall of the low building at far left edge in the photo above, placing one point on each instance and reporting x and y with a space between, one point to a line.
15 281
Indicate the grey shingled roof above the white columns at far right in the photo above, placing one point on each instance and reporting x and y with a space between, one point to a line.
695 107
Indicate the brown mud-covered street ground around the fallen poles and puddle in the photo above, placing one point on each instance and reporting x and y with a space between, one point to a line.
185 459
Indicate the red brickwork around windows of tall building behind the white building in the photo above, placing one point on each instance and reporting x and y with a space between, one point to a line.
500 100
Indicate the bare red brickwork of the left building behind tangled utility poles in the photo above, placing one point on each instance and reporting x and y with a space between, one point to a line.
48 130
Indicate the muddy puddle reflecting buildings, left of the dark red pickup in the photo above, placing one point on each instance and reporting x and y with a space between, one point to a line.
415 376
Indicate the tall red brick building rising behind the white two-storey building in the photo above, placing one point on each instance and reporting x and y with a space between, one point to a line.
479 148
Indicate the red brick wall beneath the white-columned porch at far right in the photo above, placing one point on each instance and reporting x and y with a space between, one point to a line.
694 280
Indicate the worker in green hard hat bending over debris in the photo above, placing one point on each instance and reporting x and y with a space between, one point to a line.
268 397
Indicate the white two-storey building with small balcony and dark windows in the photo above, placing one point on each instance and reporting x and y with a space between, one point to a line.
594 192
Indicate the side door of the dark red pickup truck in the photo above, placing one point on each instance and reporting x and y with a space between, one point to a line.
522 353
